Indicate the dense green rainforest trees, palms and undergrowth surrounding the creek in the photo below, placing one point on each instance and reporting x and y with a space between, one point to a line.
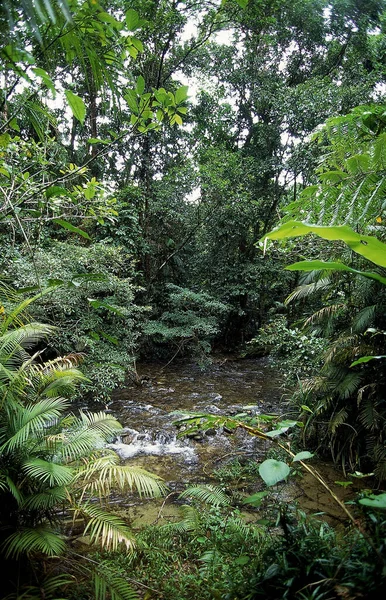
187 179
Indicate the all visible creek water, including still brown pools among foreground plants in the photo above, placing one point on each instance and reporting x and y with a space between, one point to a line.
149 438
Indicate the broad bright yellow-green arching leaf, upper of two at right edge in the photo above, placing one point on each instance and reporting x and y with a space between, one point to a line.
365 245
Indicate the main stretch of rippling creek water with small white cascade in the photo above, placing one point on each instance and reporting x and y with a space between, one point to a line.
147 412
